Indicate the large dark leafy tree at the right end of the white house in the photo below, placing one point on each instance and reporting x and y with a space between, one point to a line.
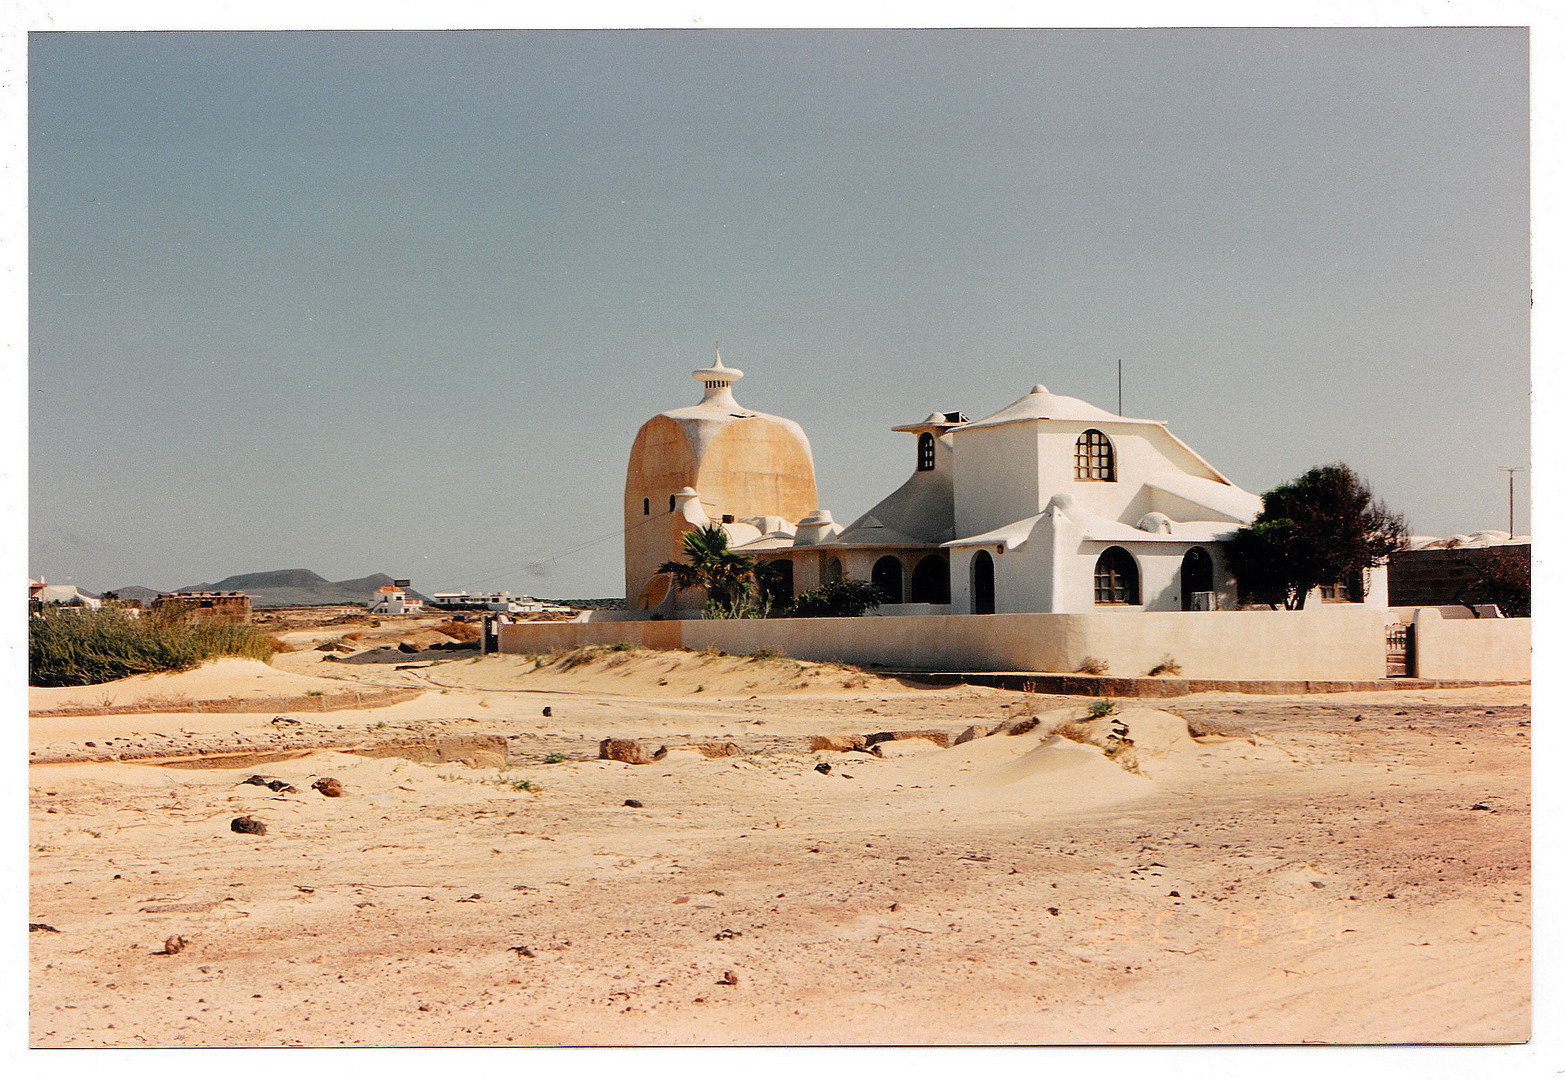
1319 530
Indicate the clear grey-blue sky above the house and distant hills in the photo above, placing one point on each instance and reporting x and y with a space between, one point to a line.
398 303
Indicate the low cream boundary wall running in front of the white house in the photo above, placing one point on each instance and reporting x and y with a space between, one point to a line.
1336 643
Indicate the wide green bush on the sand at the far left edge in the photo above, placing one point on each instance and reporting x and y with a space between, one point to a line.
81 647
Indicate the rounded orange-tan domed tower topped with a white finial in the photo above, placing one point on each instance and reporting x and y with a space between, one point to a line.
714 461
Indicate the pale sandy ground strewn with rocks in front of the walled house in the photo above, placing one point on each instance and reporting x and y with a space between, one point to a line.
1340 868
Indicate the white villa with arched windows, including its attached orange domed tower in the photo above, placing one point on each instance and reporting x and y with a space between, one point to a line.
1049 505
